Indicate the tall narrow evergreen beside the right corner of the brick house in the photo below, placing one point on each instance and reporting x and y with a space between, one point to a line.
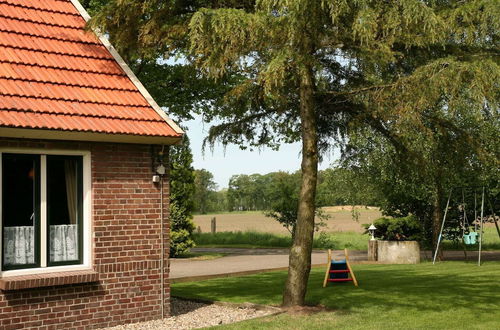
181 198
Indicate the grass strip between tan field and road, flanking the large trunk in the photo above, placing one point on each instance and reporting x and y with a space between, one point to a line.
253 239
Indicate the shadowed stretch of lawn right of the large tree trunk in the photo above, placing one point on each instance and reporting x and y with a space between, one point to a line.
443 287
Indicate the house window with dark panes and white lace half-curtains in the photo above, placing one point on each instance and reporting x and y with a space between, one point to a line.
42 211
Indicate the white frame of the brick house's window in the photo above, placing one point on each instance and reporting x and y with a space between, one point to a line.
87 209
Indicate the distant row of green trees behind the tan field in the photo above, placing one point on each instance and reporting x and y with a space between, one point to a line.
262 192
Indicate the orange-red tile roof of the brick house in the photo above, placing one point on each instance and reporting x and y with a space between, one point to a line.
54 75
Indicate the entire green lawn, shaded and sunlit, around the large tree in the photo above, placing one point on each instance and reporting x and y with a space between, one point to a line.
448 295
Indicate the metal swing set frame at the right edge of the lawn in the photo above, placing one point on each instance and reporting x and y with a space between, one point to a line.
481 223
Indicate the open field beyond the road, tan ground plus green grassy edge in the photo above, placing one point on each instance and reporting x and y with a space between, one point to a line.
254 230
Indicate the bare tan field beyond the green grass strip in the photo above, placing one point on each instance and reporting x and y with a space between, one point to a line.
341 219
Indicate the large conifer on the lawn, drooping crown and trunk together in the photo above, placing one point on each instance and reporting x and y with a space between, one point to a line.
310 71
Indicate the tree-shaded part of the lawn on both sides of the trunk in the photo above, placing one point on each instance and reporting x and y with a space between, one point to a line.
424 287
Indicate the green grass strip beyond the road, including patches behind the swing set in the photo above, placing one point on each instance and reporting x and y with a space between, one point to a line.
336 240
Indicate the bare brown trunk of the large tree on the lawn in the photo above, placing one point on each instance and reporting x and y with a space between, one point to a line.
300 253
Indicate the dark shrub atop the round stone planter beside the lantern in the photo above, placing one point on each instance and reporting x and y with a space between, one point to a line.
397 229
